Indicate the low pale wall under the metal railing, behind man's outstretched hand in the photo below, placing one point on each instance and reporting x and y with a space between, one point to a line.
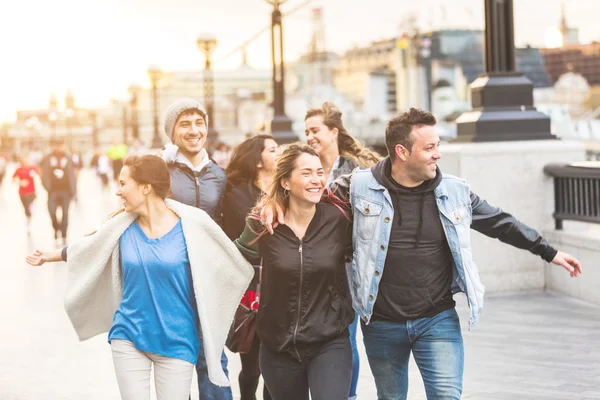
583 242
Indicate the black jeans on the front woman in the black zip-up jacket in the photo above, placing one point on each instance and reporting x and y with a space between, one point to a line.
327 374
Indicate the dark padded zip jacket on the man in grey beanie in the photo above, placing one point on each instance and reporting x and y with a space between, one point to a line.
203 190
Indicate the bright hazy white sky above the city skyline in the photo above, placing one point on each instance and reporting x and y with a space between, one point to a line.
98 47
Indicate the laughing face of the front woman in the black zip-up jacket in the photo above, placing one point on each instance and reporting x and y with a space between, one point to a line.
307 181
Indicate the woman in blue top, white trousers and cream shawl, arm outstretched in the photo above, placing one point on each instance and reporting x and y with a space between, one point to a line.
136 278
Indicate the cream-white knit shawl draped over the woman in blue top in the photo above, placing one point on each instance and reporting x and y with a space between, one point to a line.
220 276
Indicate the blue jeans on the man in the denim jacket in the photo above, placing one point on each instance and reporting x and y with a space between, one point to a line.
437 347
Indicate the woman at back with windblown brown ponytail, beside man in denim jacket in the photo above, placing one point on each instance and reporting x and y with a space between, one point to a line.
340 153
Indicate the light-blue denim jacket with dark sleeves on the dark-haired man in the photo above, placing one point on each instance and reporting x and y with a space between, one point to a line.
459 211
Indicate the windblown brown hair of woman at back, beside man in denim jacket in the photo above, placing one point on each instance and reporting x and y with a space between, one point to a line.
348 146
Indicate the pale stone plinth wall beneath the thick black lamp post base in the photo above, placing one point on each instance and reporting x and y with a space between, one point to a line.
510 175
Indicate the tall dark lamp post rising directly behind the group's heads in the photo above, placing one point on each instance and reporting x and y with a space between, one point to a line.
281 125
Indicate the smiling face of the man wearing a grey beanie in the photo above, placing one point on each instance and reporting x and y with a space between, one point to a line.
189 133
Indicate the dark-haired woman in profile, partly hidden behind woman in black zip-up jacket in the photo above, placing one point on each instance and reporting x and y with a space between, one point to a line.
249 175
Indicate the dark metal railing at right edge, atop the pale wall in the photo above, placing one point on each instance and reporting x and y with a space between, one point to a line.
576 193
